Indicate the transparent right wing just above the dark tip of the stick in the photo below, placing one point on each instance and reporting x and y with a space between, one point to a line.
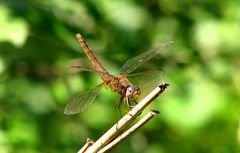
146 81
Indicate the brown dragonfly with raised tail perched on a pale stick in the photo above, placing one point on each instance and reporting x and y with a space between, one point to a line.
126 85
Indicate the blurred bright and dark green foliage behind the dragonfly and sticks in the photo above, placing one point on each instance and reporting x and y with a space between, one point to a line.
200 109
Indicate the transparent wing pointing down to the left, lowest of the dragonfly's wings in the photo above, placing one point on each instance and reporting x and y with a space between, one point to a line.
81 102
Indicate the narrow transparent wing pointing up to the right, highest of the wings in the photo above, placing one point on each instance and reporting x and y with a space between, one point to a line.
135 62
